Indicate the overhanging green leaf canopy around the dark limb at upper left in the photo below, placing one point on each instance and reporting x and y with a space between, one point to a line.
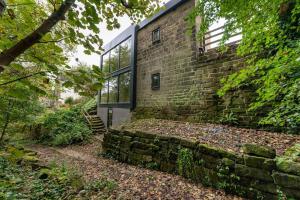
48 58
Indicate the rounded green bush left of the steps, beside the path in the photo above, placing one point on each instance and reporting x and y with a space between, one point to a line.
65 126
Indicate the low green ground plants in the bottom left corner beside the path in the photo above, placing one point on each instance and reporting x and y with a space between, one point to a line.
20 182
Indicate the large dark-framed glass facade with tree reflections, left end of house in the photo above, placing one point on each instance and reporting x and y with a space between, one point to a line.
116 65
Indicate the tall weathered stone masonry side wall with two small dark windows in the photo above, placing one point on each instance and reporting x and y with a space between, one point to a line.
189 81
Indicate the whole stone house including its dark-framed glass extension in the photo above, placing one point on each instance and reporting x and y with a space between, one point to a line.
156 68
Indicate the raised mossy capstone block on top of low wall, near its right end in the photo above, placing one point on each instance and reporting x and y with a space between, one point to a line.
260 151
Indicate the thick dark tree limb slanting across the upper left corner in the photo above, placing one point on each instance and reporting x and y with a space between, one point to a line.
9 55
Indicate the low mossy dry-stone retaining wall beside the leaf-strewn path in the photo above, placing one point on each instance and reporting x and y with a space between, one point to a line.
254 174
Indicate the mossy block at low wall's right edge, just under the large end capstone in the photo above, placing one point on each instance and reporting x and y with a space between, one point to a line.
286 180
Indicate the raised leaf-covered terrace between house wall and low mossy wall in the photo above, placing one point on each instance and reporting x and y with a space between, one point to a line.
226 137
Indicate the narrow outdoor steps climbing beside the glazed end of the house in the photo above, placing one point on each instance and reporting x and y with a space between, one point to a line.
94 121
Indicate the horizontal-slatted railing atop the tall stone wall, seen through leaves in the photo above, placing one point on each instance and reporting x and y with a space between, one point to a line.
213 37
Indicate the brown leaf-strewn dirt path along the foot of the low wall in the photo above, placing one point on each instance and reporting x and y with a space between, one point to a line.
133 182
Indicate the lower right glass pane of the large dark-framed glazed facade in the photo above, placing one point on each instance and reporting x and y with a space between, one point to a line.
124 86
